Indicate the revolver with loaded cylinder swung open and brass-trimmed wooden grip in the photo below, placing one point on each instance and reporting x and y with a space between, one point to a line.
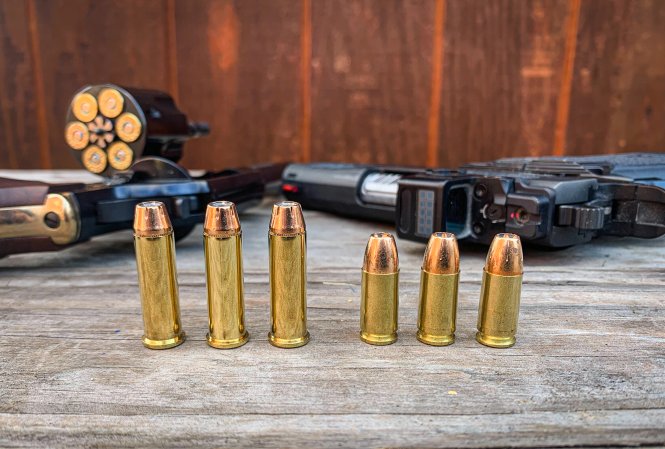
133 138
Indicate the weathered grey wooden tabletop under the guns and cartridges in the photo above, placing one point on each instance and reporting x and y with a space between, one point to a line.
588 368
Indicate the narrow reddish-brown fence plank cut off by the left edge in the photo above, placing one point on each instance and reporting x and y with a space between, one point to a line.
19 126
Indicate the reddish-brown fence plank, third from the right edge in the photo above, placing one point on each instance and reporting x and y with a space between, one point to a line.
371 77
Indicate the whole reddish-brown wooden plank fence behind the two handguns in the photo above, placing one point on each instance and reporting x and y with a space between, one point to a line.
435 82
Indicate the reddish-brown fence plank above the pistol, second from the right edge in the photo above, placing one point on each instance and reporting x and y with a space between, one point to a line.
502 74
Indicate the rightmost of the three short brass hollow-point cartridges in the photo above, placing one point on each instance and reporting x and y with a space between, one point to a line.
499 306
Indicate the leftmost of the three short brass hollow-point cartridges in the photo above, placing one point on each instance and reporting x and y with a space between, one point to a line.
379 291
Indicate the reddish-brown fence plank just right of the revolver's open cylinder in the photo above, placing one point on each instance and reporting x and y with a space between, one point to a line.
239 69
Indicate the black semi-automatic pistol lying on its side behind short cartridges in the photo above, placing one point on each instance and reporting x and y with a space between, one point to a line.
548 201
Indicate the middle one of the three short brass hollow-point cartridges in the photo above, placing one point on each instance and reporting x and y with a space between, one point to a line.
439 280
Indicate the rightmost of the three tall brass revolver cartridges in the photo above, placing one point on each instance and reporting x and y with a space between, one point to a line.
288 302
